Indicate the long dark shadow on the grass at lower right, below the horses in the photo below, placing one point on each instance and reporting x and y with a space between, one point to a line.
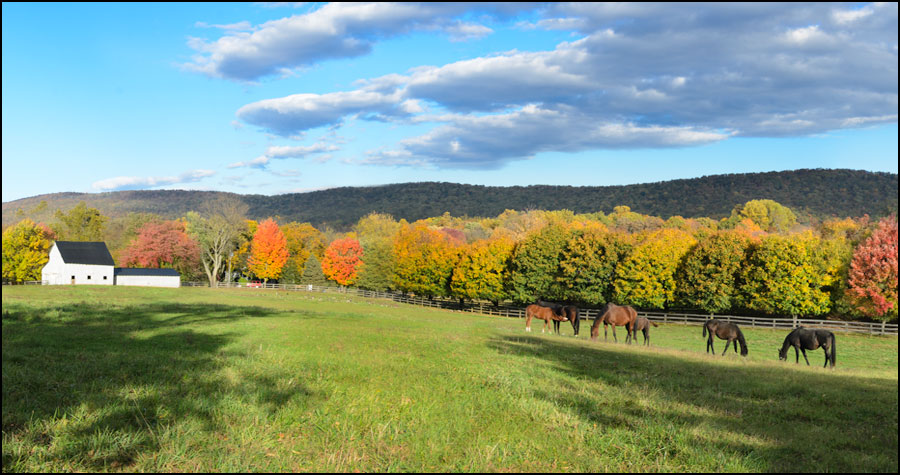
774 418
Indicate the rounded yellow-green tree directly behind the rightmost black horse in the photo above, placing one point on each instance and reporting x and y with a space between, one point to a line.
779 276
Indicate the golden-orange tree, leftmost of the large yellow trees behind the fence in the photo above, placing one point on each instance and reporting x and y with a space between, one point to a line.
425 259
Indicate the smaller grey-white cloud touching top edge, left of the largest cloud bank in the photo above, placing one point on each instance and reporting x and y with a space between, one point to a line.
336 30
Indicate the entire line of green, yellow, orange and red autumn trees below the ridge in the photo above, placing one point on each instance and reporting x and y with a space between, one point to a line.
758 259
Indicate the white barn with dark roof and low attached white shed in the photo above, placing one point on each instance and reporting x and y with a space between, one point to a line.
91 263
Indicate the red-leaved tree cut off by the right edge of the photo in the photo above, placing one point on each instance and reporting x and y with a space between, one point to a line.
873 272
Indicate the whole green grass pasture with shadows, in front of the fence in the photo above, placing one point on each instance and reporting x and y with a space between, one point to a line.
192 379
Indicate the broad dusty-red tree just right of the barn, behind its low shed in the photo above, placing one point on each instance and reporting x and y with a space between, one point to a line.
162 244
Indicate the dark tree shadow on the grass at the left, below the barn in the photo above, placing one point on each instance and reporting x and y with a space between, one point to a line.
93 386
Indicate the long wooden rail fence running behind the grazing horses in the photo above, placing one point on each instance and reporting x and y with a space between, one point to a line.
585 313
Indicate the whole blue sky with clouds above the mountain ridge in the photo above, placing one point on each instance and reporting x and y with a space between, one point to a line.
280 98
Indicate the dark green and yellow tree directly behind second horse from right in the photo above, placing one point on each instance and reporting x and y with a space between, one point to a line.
707 277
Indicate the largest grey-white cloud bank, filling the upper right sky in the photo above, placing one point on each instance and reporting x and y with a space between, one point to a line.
642 75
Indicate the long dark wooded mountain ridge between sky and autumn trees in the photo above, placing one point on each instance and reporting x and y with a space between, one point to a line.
809 192
